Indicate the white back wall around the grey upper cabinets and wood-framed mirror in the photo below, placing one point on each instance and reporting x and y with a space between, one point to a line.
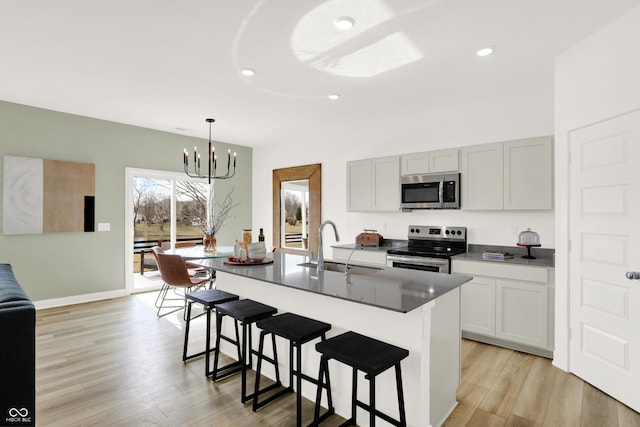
525 114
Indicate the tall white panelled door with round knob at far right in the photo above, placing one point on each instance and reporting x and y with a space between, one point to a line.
604 246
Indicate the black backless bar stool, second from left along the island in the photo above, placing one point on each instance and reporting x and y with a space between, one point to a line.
246 312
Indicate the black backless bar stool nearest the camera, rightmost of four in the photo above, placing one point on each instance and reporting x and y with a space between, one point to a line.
370 356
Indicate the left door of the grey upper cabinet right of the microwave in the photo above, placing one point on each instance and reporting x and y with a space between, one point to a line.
482 177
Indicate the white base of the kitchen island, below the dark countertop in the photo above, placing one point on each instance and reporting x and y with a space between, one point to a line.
431 333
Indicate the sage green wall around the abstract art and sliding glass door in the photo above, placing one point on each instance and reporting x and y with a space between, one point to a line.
60 265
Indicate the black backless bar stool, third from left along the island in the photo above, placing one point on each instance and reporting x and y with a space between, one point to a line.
298 330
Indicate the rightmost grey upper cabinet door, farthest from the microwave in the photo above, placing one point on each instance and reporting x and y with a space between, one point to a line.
528 174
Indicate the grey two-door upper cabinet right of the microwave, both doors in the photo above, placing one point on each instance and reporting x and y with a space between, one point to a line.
513 175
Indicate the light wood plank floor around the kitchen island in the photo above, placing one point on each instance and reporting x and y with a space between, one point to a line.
115 363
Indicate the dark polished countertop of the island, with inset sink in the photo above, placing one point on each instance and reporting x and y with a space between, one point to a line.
389 288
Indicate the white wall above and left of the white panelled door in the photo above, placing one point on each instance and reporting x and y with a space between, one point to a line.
597 79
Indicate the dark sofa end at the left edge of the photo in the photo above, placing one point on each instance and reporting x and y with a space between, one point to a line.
17 352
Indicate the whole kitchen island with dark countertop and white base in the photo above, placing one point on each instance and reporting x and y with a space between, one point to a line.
418 311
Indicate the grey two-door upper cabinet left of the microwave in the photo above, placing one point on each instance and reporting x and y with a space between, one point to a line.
374 184
